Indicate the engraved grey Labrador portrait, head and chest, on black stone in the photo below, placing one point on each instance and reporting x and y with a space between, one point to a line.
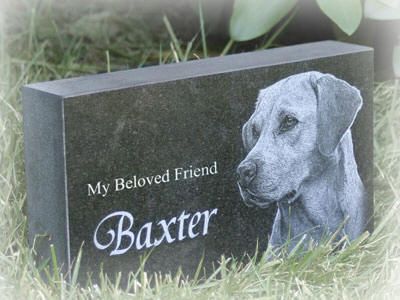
300 156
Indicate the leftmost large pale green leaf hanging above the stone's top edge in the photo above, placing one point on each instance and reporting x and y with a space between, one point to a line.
253 18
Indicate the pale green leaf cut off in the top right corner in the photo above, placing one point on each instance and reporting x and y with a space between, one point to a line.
382 9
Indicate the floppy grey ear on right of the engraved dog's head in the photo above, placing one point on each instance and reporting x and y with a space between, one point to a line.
337 106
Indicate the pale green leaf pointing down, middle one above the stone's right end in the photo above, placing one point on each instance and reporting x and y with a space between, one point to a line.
346 14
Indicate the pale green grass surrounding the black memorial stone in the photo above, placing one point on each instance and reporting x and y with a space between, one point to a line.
35 45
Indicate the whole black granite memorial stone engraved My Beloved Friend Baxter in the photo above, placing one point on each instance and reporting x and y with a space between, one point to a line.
202 158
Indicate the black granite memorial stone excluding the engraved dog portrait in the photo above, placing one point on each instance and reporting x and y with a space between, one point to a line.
91 142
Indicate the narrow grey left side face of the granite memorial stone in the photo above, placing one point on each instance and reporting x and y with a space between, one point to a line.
45 176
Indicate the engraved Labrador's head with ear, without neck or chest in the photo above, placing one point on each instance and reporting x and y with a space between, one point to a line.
296 127
